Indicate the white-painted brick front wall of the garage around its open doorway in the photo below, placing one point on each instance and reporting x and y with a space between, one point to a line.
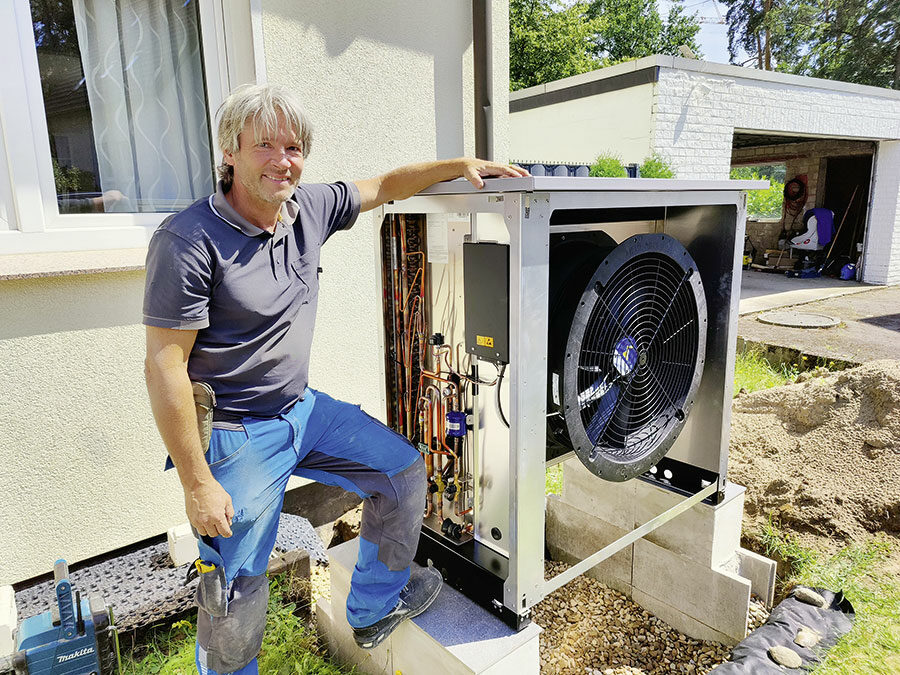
695 114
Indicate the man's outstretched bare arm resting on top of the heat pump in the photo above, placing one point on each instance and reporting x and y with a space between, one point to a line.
408 180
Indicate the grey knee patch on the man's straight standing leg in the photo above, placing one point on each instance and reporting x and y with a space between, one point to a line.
228 643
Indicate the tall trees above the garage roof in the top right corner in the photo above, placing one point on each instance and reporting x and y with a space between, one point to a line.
852 41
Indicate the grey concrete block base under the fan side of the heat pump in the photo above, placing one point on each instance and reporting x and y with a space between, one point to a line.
691 572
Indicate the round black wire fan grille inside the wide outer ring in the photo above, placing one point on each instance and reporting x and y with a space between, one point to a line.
647 311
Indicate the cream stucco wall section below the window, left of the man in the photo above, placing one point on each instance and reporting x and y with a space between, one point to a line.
82 463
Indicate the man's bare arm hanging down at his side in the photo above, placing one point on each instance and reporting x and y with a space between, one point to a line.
207 504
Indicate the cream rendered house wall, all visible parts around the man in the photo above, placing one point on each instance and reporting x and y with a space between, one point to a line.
82 475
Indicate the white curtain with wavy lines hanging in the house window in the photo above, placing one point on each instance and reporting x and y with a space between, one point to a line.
144 77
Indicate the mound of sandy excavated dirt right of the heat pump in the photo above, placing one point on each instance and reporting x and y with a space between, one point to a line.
822 455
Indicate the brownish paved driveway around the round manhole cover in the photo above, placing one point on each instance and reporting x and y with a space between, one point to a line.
869 328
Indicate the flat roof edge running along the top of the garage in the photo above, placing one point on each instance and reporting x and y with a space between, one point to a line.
646 70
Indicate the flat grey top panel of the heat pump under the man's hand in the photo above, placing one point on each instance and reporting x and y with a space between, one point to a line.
568 184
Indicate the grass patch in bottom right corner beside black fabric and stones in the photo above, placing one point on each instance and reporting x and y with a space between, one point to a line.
863 572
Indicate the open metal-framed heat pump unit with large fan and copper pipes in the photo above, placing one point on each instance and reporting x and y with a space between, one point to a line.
541 318
